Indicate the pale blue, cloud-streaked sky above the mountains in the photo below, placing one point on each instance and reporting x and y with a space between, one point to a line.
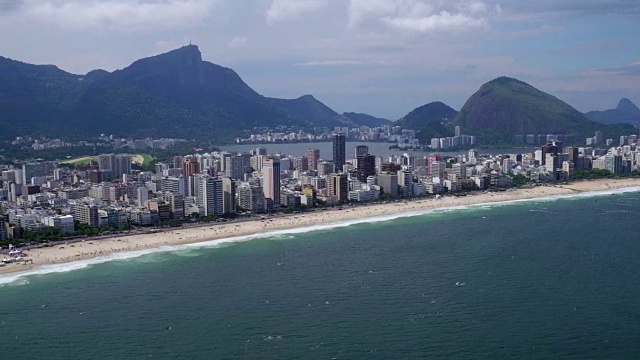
383 57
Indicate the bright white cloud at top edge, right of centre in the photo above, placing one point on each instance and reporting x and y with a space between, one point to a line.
420 15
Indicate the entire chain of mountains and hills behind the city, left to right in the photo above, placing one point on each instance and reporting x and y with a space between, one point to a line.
178 94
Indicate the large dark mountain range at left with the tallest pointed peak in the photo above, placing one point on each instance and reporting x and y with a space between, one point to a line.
175 94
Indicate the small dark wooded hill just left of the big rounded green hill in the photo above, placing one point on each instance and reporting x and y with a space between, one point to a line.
430 121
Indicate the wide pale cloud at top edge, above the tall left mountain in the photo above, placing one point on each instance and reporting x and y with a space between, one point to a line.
122 15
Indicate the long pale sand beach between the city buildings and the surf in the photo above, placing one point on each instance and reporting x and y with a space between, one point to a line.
100 248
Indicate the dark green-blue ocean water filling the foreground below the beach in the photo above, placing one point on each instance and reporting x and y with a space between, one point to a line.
546 279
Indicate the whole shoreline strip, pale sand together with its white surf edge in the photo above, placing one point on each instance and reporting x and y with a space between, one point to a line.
44 259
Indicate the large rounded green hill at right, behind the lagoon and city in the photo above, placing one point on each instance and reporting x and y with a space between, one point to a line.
505 107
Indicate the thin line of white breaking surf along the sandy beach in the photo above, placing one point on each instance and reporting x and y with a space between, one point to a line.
19 278
